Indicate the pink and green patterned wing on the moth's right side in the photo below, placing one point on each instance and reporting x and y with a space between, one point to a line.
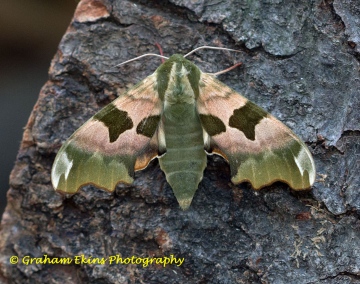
259 148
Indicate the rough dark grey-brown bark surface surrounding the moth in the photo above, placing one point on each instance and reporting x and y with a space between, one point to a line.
300 62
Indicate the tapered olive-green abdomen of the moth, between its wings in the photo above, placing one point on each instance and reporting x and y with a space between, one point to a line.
185 158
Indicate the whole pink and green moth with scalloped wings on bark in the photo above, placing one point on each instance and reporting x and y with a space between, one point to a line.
180 115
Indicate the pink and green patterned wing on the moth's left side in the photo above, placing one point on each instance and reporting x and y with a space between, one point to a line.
113 143
